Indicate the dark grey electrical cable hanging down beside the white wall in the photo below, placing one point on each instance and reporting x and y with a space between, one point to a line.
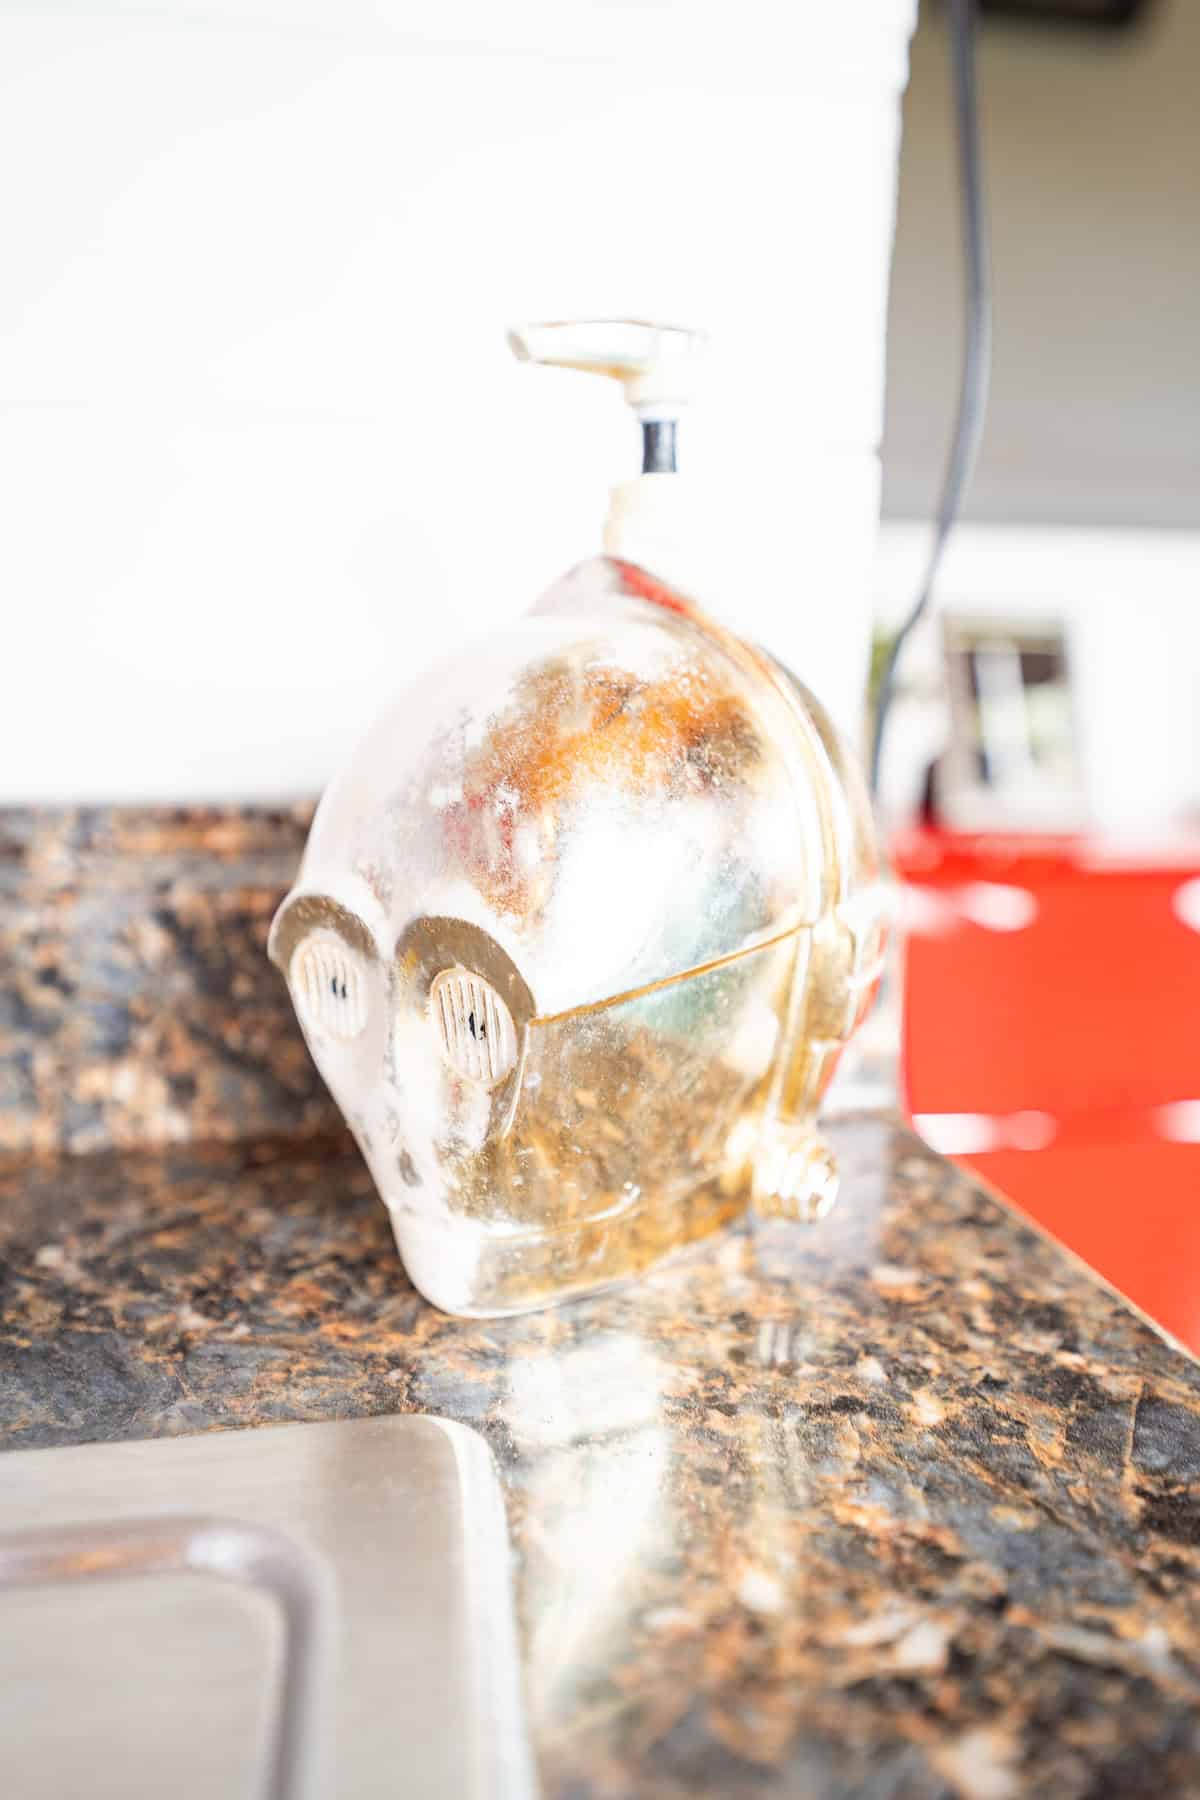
976 350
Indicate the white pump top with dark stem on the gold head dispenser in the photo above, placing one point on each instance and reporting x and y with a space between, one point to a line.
650 517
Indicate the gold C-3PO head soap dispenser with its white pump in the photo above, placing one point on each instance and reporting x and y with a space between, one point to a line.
586 924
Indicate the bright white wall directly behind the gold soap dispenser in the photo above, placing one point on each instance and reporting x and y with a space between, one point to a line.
262 447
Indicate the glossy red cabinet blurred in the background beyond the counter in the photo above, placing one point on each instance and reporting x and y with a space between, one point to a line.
1088 1018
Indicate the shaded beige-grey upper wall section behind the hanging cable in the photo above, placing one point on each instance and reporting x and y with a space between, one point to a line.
1093 157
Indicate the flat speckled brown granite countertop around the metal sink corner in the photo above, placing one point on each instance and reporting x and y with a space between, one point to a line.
906 1506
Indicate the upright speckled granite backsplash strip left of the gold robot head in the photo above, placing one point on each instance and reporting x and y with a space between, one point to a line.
136 998
